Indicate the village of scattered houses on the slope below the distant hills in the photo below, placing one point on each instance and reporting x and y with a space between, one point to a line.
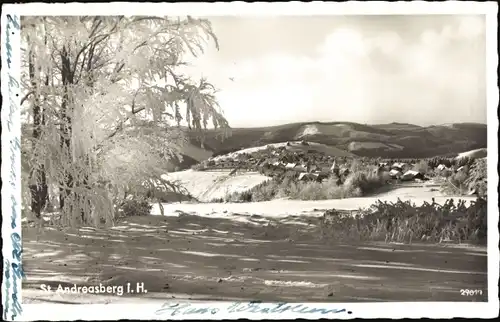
300 161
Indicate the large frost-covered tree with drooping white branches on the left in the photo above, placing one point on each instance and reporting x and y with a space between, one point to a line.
105 97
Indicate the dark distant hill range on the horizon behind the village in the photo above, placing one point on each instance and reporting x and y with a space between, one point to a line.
393 140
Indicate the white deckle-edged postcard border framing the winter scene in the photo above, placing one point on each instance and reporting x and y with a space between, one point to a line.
11 198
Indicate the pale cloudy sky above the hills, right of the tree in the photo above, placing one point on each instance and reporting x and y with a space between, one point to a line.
368 69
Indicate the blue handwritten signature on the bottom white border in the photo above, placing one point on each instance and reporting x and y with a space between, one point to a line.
174 309
